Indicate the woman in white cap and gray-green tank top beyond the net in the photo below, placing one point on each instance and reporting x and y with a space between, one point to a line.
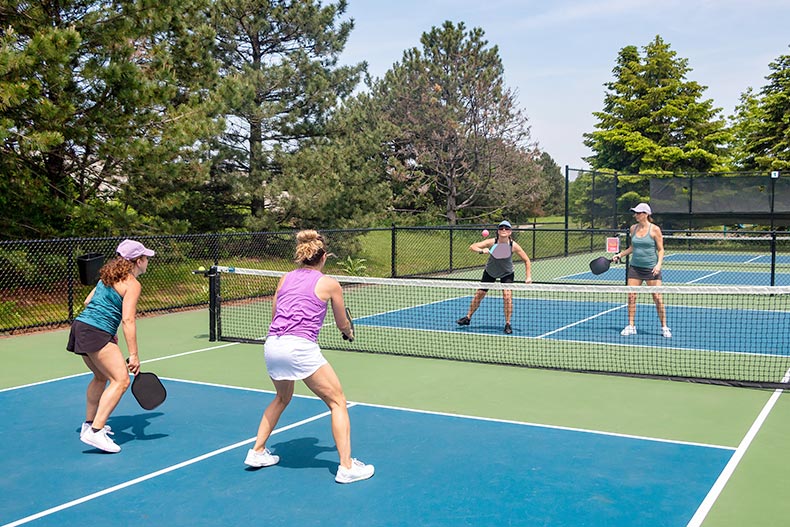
647 248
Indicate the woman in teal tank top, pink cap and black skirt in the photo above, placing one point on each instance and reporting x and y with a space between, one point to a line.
112 303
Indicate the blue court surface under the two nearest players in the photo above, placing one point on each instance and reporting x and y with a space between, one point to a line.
182 464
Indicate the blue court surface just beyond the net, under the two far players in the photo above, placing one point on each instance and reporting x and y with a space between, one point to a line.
693 328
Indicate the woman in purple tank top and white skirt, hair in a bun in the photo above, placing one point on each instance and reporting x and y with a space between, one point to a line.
292 353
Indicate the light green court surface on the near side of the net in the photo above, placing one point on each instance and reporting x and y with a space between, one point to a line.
176 346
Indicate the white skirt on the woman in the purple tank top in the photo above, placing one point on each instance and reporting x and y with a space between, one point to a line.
291 358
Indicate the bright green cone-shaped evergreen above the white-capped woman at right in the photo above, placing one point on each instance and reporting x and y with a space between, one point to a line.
654 119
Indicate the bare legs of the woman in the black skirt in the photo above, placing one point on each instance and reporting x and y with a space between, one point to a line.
107 364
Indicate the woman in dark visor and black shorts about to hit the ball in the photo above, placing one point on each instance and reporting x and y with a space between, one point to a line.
499 266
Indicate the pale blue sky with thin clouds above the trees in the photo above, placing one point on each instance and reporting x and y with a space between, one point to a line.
557 55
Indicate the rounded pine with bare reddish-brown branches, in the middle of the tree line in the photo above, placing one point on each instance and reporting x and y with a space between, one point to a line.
459 136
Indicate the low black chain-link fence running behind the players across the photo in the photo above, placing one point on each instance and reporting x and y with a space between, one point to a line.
40 286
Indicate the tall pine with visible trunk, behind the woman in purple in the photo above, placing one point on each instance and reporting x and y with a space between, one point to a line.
278 61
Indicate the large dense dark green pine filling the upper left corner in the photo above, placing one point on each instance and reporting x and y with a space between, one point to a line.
104 104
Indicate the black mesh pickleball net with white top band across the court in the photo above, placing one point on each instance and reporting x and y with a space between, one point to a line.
731 335
